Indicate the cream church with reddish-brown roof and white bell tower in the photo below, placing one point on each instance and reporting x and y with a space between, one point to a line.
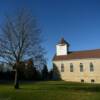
77 66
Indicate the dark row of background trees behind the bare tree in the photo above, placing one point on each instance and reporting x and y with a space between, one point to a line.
28 72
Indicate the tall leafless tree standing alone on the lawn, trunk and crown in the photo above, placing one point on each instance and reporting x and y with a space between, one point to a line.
20 39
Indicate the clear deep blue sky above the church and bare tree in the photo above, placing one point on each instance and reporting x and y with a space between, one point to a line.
78 21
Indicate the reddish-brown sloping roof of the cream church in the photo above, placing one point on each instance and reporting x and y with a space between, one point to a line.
78 55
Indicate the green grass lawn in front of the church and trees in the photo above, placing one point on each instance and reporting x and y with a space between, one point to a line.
50 90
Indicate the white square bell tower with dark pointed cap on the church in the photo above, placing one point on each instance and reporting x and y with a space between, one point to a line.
62 47
